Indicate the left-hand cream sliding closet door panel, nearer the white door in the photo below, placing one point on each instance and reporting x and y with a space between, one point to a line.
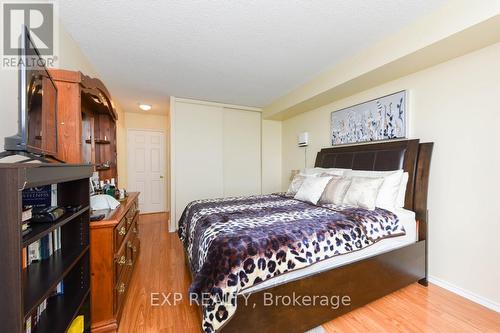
198 153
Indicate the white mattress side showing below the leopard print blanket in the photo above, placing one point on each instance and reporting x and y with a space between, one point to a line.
406 217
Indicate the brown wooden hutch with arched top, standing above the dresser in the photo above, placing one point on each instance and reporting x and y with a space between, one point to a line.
86 122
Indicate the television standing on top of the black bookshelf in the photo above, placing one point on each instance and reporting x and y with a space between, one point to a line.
37 119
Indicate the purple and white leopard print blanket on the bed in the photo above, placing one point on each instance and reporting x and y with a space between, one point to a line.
235 243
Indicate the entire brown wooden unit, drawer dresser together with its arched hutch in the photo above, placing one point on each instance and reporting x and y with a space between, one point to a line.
86 124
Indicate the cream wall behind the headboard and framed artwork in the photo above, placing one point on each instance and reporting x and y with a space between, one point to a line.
457 106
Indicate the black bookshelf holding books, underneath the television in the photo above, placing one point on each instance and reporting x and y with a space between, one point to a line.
23 289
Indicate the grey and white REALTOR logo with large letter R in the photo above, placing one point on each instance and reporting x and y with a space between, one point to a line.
39 17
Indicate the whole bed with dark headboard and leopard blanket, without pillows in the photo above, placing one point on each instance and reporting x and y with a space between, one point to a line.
275 264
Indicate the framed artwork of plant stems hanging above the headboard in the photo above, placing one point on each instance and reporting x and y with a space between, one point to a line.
383 118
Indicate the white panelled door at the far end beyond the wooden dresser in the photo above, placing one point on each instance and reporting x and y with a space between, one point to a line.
146 168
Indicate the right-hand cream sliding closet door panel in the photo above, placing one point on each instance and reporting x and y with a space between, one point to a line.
242 152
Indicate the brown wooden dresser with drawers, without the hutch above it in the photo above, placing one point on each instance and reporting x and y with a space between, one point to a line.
114 245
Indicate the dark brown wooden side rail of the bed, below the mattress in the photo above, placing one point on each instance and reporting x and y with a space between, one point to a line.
360 282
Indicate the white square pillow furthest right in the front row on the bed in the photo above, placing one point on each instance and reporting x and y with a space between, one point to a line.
363 192
